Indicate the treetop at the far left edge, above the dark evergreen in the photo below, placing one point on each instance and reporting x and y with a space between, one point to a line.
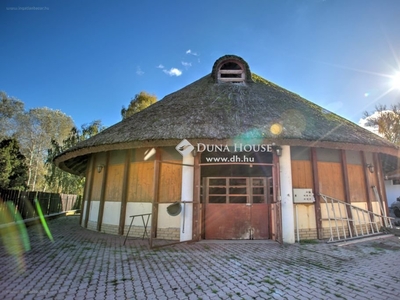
10 109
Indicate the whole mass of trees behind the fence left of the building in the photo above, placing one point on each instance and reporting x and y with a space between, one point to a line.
31 140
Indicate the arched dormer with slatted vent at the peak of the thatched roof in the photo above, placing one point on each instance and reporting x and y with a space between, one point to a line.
231 68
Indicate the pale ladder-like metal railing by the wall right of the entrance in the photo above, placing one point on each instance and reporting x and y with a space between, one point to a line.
347 221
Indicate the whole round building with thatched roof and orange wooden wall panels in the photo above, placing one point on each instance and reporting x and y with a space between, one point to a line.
236 157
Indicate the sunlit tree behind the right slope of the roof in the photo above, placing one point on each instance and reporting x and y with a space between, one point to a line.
386 122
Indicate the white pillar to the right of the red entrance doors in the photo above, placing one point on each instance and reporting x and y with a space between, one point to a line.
288 235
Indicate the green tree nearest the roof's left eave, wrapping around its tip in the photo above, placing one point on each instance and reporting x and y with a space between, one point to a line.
59 181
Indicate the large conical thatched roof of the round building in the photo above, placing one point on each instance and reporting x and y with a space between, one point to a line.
208 110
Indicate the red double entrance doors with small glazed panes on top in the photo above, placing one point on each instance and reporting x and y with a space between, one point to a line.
236 207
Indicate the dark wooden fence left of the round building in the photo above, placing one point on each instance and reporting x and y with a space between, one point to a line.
50 203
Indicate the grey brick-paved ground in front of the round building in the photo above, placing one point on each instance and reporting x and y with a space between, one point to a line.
82 264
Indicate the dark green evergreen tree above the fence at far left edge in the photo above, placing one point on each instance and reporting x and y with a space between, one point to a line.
14 172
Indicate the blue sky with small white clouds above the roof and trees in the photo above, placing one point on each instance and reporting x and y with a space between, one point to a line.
89 58
